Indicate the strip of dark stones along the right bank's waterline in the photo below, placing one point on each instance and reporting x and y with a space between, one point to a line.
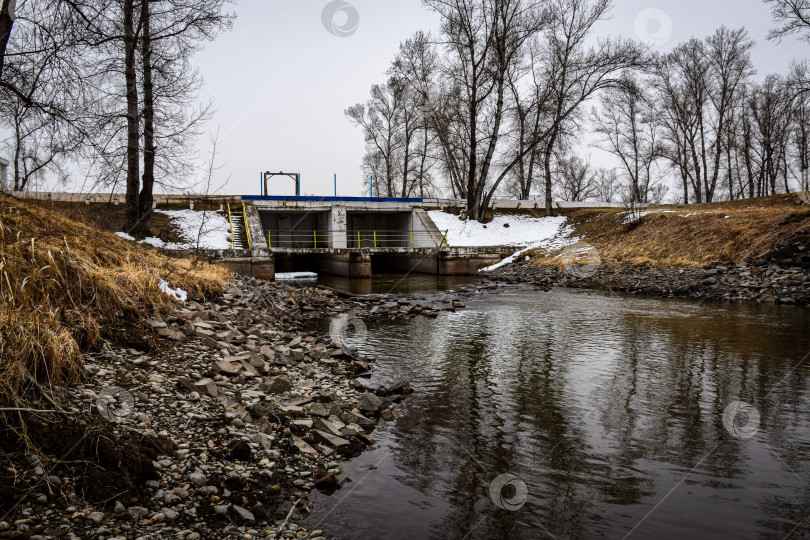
779 276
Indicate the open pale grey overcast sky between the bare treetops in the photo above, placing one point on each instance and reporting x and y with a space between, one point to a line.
282 78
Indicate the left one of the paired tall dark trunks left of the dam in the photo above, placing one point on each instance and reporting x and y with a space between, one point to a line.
133 129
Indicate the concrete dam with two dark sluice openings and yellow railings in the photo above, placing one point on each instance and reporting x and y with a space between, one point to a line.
344 236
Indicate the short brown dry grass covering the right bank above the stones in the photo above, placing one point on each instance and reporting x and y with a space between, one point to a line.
667 236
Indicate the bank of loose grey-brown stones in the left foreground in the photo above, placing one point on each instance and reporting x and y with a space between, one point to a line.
215 423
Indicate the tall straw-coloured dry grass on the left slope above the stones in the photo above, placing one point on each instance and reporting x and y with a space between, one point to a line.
61 282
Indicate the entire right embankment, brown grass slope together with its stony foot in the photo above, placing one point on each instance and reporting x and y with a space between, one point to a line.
752 250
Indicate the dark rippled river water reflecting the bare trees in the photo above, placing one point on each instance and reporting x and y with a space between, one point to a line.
609 408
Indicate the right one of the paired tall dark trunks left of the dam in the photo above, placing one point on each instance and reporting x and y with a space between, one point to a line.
146 198
